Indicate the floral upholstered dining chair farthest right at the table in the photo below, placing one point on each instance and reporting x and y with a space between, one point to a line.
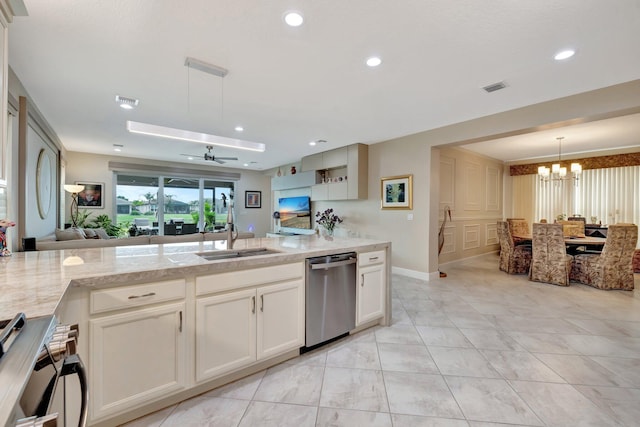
612 269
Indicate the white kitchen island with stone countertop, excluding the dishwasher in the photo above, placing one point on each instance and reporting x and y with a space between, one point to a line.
159 323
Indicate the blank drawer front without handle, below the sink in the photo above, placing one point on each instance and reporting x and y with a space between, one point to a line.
245 278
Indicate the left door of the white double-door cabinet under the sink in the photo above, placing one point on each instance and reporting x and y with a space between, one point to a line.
225 333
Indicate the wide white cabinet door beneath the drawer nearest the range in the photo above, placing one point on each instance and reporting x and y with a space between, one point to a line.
135 357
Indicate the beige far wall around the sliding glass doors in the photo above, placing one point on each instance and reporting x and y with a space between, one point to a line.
94 168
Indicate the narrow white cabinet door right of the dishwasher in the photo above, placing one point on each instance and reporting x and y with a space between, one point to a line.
370 294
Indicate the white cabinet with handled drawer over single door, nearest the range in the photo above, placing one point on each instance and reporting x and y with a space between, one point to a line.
137 345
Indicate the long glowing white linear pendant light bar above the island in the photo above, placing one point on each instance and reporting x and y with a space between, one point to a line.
186 135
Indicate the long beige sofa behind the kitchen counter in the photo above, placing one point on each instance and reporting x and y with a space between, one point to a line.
98 238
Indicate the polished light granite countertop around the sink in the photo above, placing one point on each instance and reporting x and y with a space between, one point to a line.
34 282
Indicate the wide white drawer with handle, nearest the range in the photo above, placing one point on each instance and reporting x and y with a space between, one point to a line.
134 296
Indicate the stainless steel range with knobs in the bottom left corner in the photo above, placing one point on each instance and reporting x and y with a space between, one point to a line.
37 356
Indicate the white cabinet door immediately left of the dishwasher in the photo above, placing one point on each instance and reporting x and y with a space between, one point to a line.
280 318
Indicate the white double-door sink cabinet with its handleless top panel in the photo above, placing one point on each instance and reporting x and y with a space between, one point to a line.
263 319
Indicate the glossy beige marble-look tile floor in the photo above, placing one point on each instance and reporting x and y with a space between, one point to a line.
479 348
